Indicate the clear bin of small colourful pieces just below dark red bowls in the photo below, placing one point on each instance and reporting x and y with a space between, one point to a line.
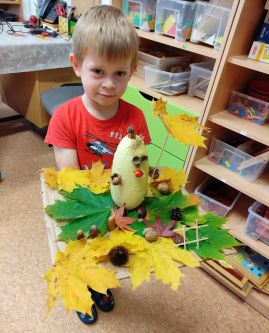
248 108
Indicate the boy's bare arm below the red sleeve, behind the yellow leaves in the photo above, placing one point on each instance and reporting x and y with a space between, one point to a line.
66 158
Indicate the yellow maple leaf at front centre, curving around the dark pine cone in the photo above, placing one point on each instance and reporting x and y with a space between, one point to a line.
161 256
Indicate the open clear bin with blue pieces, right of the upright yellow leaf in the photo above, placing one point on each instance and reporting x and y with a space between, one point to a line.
230 151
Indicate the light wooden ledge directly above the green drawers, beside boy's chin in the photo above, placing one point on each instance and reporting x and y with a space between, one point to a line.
191 104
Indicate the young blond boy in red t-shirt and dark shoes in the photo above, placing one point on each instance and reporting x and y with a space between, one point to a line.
89 127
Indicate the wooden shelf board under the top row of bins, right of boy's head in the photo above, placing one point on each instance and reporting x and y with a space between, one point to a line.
187 46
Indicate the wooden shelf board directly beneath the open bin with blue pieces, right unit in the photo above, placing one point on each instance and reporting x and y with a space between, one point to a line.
258 190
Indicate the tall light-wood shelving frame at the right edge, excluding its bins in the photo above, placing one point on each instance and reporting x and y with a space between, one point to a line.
235 70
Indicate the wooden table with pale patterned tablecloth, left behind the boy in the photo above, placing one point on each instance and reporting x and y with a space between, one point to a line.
30 65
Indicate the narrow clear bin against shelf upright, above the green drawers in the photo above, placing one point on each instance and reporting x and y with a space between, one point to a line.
199 79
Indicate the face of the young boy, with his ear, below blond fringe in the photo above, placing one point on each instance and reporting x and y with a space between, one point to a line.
104 81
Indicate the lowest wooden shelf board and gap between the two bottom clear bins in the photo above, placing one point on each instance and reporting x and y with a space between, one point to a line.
236 225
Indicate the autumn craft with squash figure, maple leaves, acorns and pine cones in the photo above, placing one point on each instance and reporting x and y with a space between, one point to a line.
132 216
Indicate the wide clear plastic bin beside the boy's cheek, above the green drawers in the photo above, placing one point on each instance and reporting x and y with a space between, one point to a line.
165 82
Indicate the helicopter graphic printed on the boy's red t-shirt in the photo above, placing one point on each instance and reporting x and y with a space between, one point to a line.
99 147
